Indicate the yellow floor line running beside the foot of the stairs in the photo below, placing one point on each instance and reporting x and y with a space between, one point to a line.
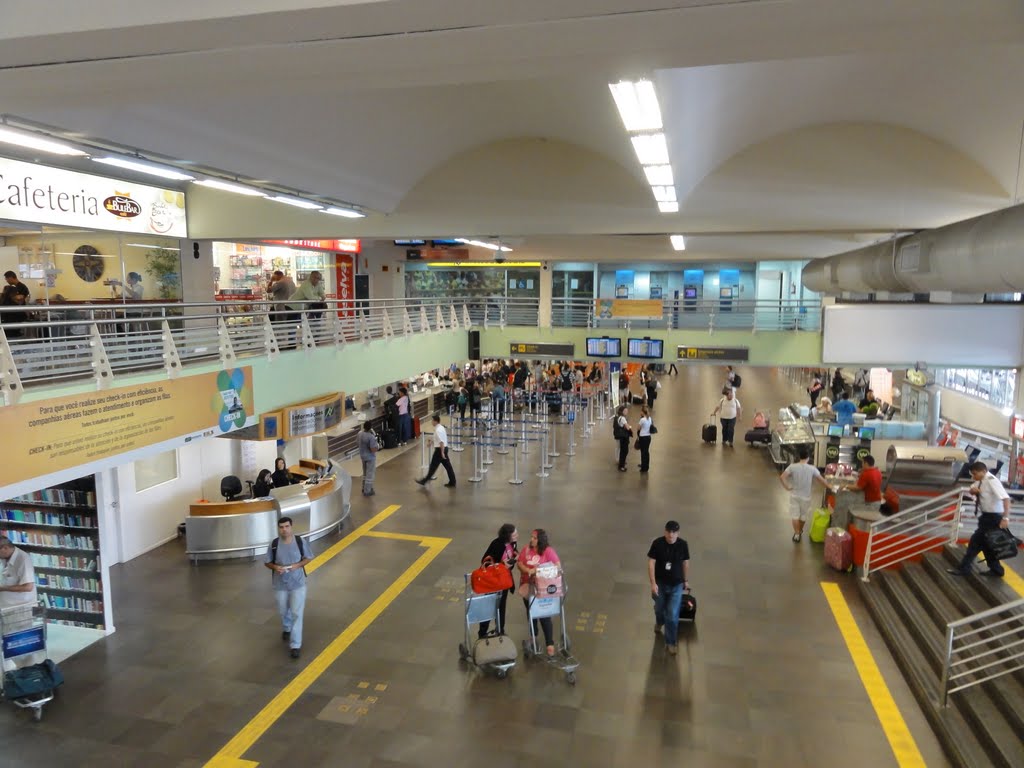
901 741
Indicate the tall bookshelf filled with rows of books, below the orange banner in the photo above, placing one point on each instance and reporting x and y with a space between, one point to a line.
60 530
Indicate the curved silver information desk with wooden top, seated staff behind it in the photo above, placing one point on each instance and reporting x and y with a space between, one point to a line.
246 528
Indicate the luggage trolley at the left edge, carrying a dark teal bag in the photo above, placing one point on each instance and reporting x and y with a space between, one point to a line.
23 629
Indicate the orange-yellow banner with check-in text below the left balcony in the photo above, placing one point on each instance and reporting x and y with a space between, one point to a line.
65 433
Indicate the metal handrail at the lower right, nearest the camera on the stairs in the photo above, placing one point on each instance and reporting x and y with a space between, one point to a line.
964 663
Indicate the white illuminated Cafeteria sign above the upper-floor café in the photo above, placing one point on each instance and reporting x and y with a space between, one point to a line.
52 196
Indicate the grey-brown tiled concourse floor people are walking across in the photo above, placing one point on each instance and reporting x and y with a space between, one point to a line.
763 678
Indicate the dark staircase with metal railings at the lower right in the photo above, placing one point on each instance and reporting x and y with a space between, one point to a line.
912 606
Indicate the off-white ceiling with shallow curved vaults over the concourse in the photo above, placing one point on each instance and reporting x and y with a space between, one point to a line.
795 127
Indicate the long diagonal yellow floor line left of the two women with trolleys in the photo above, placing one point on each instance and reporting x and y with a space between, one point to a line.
231 755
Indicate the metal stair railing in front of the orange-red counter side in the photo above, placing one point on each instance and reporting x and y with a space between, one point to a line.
923 528
